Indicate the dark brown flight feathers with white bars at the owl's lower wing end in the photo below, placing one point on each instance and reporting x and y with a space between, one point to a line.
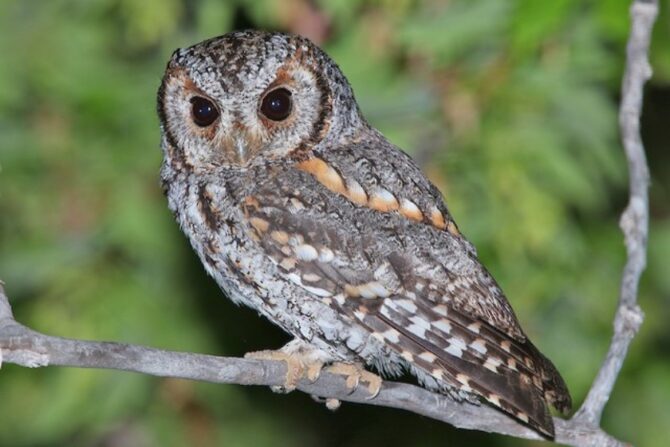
472 359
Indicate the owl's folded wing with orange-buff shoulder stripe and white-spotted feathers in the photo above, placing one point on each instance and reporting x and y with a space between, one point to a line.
397 265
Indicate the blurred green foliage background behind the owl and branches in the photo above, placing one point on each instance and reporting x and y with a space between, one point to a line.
509 105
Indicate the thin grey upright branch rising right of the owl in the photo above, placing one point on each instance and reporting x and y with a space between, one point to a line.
635 219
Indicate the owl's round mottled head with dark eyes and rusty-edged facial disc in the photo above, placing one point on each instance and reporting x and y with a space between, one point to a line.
229 99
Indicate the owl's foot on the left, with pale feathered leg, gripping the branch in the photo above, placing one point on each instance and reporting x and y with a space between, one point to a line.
302 361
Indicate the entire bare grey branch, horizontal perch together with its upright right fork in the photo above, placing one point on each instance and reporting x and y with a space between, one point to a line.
25 347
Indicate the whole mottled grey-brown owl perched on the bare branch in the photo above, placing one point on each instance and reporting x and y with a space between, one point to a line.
301 210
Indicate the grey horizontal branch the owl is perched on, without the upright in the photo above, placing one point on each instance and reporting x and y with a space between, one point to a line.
25 347
